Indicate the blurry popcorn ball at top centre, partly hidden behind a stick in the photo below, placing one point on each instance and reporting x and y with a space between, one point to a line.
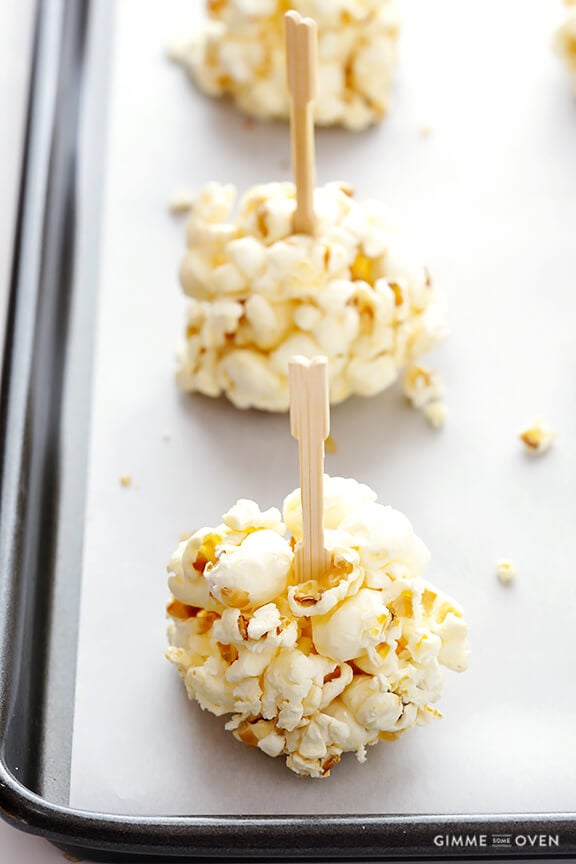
241 52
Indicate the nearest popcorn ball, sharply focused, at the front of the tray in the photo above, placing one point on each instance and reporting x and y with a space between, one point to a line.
311 671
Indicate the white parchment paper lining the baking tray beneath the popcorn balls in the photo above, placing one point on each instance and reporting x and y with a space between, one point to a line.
489 200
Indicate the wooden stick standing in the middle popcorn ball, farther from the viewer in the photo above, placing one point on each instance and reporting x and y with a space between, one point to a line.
301 62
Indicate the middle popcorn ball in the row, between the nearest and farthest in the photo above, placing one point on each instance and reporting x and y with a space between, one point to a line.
260 294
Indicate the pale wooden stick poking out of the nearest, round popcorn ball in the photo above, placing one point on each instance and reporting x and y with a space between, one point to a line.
310 424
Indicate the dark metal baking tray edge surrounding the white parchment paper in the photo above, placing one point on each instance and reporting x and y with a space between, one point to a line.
39 588
